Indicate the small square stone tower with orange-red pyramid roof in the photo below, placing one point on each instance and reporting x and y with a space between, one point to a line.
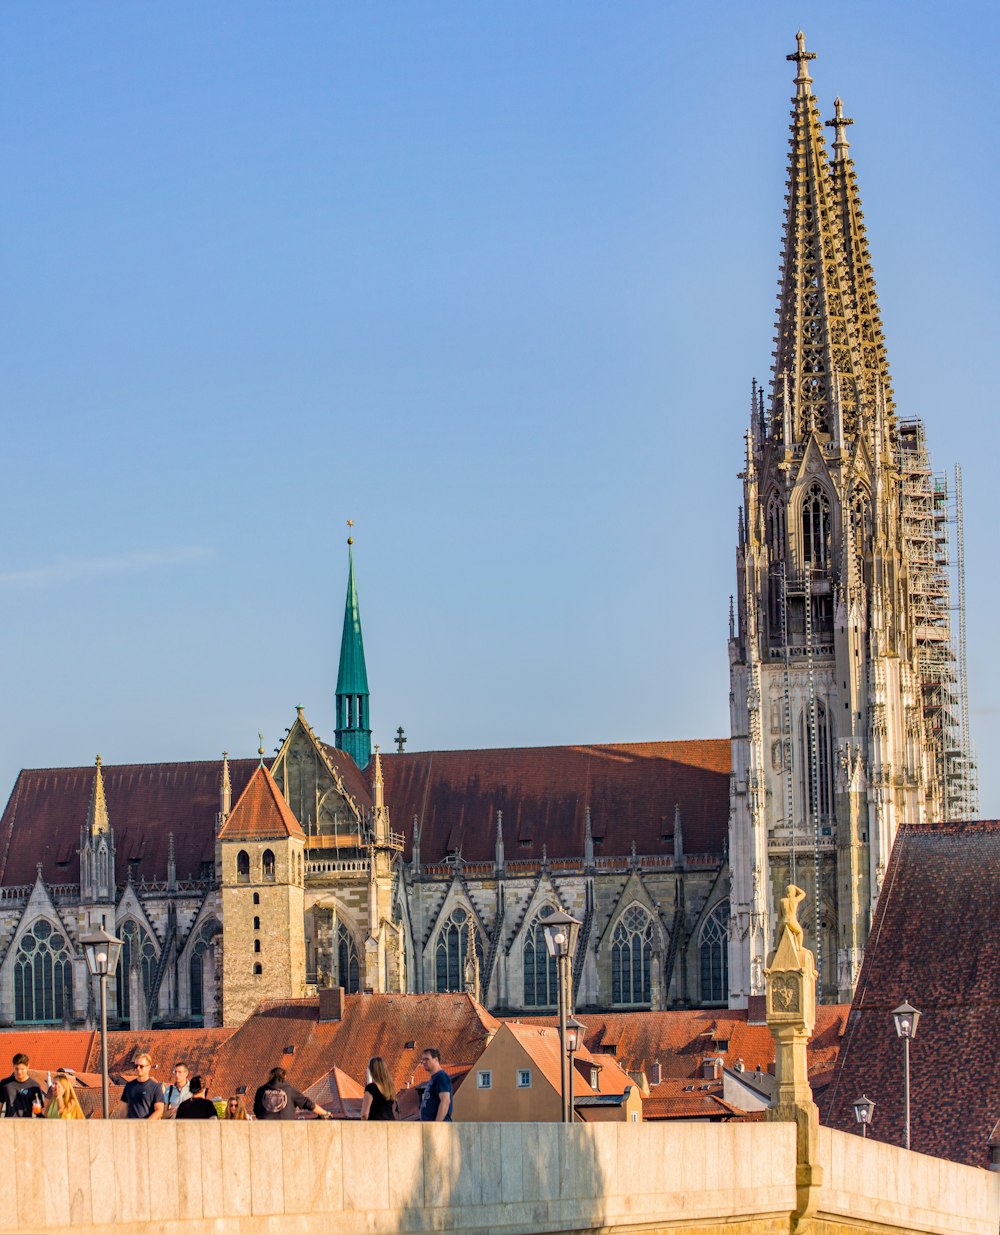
261 850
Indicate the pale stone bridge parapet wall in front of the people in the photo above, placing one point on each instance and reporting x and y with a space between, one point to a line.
310 1178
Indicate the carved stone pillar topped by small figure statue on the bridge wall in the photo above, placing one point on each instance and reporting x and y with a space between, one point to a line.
791 986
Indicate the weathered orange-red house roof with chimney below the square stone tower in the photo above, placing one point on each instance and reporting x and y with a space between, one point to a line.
376 1024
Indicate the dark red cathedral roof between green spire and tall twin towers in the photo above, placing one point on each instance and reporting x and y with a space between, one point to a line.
544 793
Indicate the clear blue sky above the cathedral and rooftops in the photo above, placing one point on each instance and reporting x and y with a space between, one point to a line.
491 280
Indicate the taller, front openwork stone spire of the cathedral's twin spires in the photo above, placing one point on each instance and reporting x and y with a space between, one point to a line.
815 341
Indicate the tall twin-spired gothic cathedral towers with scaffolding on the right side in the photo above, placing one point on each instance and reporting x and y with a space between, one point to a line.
843 675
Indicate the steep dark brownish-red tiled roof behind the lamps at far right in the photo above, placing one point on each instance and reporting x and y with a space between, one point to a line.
935 943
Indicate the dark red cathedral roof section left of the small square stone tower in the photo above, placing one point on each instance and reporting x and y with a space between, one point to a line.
146 802
